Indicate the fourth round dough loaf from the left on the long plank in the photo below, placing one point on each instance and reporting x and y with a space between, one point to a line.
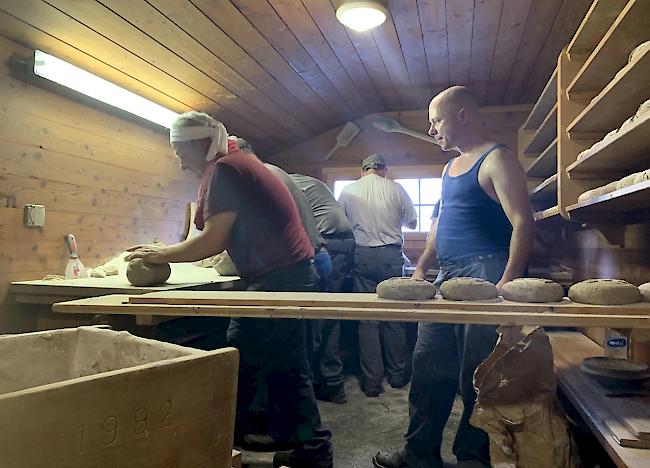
604 292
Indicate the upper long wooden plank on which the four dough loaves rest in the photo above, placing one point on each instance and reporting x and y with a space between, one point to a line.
370 300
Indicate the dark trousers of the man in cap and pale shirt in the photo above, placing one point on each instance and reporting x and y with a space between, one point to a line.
371 266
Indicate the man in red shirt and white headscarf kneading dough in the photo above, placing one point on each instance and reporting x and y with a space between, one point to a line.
244 207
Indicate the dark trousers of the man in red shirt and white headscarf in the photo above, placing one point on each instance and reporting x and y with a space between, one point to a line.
274 349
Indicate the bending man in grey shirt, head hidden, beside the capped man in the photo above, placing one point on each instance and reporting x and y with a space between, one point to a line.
334 227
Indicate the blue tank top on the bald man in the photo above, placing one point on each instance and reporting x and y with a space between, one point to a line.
471 223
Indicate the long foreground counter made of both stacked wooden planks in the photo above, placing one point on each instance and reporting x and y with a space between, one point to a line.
353 306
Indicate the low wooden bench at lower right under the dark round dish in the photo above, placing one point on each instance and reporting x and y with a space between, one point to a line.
615 422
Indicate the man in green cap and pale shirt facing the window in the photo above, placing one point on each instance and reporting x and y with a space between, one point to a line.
377 208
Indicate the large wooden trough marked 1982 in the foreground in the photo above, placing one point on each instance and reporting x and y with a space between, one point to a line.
92 397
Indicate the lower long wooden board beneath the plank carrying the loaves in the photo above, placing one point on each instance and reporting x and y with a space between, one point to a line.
457 313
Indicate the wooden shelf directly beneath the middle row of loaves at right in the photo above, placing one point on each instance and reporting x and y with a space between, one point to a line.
628 149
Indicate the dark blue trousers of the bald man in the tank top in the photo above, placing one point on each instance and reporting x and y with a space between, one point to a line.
445 357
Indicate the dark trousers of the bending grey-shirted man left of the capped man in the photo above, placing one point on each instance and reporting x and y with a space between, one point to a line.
327 365
